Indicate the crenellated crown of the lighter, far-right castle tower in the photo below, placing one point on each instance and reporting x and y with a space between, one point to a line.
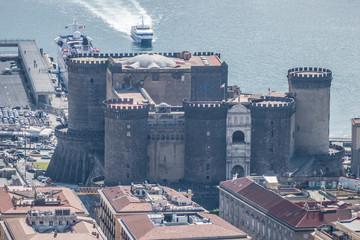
309 78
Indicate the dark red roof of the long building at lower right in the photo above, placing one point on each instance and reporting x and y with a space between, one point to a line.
281 208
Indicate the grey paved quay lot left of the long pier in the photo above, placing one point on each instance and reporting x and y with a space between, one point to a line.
13 90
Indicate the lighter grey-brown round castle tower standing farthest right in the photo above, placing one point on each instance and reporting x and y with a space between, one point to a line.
311 90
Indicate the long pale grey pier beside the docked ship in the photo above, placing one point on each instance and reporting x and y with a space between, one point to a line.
35 68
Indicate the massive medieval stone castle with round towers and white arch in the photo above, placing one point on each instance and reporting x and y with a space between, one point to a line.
171 117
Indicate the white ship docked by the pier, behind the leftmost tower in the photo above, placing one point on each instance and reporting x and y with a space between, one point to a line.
75 43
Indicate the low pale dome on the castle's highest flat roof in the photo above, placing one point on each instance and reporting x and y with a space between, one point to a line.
148 61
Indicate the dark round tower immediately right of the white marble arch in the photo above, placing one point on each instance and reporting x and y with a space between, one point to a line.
272 137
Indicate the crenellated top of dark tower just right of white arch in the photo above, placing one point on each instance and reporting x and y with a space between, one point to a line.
272 107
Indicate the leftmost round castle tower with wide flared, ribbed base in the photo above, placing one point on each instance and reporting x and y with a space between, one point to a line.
83 141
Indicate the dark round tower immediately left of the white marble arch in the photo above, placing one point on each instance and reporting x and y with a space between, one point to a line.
205 141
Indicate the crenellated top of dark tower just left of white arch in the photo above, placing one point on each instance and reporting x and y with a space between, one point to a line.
205 110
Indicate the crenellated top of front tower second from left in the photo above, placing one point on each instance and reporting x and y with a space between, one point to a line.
124 108
